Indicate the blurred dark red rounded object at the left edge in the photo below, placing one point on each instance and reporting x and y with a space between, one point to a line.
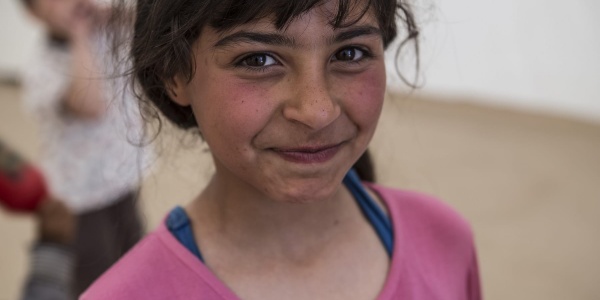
22 186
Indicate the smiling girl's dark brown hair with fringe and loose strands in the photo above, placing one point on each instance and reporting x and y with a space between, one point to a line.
165 30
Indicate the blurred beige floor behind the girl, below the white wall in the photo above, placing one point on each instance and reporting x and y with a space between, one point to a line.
529 185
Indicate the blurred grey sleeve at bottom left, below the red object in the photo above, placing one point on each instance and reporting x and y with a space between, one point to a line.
51 273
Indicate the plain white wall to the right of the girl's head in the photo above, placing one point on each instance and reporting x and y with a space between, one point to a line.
539 55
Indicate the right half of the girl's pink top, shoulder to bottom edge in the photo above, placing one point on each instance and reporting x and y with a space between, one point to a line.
434 252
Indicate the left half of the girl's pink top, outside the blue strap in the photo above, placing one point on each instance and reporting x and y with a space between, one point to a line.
158 267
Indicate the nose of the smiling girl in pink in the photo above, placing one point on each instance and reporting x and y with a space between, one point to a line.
312 104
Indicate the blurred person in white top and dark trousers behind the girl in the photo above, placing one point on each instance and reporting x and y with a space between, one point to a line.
89 127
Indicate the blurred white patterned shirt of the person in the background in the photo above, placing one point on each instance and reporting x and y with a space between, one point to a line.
88 163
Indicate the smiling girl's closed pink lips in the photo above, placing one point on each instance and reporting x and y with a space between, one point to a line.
308 155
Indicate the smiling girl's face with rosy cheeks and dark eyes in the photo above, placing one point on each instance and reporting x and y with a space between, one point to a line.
287 112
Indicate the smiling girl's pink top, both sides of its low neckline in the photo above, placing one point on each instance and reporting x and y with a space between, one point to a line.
434 258
